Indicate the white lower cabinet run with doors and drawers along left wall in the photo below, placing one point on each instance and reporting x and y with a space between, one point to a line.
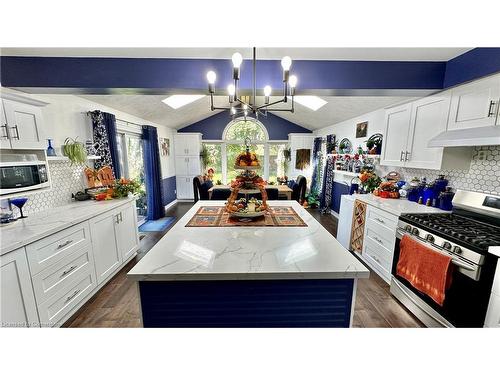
47 281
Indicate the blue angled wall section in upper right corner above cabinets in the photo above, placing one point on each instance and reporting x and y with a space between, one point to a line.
473 64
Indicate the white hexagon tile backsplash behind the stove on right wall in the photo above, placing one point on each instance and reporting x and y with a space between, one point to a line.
483 175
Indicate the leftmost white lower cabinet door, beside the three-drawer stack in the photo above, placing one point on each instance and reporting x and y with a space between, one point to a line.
17 300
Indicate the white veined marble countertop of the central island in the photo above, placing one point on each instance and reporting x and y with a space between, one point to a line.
235 253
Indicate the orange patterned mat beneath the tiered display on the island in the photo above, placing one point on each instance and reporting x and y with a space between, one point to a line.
217 217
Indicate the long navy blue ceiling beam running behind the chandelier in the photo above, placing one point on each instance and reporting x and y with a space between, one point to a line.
190 74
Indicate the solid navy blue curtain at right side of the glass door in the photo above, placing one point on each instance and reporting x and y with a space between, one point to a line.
152 171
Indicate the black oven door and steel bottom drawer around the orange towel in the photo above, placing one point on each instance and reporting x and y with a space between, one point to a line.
466 300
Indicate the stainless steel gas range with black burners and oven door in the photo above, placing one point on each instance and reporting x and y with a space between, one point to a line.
465 235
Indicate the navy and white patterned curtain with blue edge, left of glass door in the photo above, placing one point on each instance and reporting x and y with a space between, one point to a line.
105 145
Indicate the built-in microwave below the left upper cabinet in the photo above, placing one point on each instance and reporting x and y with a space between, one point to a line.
16 177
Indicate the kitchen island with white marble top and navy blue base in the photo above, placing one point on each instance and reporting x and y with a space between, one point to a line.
248 276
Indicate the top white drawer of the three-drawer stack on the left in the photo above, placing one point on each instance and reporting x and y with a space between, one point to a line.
48 251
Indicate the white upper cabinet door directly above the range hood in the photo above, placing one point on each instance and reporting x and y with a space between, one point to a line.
475 104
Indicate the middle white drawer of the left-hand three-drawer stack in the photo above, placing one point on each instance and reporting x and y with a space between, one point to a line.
62 274
